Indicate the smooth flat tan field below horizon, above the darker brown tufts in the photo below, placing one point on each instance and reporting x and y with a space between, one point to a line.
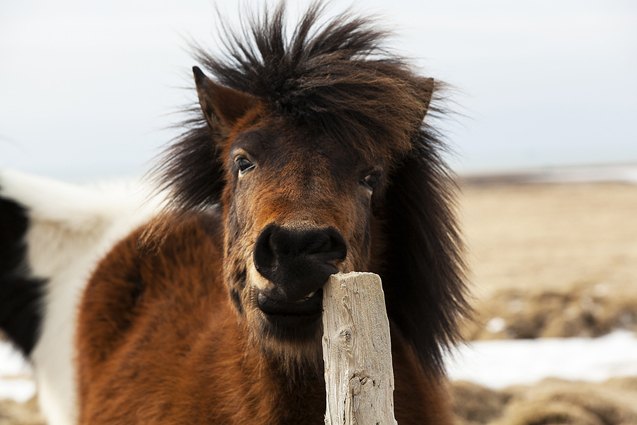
549 236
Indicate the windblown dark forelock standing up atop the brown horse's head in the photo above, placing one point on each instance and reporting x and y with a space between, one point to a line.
333 76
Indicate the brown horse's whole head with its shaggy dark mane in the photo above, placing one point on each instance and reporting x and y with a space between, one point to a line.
314 147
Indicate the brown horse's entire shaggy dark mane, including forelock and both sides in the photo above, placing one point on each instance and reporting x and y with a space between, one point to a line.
335 77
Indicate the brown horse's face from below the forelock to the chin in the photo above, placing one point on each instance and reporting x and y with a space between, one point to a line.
297 209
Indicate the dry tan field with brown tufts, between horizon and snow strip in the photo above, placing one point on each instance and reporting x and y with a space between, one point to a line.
551 260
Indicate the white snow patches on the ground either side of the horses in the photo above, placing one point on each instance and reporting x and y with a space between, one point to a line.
496 364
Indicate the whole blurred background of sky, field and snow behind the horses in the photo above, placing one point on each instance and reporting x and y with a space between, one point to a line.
543 136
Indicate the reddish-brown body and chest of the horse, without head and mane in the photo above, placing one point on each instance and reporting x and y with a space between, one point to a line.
145 359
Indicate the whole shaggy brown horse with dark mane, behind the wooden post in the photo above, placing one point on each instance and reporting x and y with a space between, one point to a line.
308 156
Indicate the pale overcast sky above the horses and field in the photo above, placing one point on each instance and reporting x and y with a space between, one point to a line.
88 89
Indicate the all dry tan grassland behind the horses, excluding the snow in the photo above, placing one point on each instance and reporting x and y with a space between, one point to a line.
549 260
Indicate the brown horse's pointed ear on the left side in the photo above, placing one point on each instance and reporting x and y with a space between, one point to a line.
222 106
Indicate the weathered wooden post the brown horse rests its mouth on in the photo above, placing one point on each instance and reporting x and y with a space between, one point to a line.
357 351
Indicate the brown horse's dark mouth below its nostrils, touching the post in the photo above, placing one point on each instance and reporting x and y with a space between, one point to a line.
310 306
